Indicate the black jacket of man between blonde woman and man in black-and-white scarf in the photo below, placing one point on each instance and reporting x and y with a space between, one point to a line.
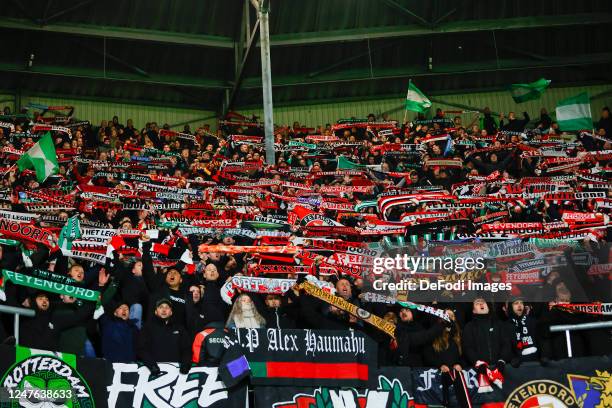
486 339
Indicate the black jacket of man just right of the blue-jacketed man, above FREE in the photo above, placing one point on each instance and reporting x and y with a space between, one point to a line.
163 341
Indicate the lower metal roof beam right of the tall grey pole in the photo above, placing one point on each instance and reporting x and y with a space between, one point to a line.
448 69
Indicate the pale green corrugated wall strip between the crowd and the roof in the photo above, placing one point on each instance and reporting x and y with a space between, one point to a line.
320 114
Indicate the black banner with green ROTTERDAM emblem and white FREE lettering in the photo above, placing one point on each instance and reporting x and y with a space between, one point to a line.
71 381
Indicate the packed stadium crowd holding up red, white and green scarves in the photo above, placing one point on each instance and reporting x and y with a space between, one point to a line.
188 211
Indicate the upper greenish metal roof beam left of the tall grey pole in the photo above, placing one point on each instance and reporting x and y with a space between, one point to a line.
122 33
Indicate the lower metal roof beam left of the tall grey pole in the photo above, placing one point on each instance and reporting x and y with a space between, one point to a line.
98 74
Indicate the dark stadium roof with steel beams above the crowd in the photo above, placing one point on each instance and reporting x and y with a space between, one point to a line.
197 53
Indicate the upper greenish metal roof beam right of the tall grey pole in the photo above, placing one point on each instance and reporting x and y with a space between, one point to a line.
519 23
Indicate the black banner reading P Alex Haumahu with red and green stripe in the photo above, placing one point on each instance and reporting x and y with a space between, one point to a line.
308 357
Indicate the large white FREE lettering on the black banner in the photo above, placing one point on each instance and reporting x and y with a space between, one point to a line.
170 390
